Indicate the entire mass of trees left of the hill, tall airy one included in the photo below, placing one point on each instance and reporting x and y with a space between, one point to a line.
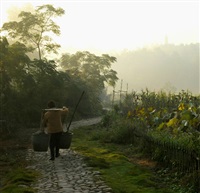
28 84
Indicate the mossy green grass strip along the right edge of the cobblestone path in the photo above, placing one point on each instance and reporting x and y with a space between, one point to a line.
117 169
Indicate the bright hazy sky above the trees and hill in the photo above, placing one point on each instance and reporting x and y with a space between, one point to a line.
104 26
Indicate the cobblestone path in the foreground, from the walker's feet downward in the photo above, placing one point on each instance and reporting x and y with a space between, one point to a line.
66 174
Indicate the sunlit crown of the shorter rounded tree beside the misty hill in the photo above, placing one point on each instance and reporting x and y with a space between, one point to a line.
91 68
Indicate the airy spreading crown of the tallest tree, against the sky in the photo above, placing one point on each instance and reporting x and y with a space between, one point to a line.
34 29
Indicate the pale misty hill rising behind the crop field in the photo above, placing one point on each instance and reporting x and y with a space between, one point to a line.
167 67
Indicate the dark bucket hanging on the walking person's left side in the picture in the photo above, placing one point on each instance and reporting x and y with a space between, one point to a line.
40 141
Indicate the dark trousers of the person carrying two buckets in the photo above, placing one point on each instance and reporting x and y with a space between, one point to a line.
54 144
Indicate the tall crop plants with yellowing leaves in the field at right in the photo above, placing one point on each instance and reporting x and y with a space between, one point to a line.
178 115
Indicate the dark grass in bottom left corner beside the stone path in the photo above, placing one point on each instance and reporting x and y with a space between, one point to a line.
15 177
